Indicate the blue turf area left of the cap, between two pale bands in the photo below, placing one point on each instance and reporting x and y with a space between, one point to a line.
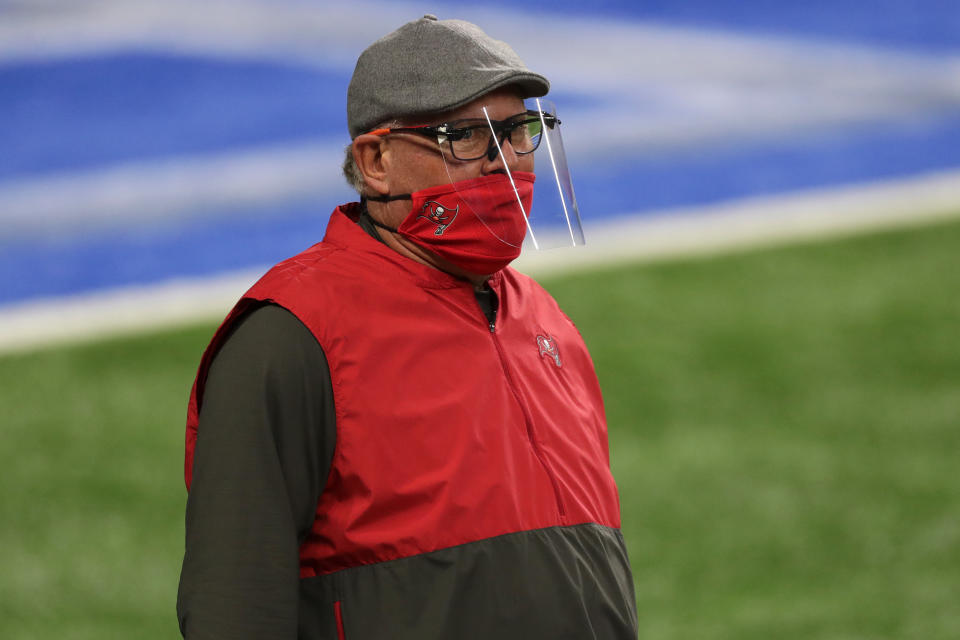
69 114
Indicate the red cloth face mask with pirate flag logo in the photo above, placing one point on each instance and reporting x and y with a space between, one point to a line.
475 224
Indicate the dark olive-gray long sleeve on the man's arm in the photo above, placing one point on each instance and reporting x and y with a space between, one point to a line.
264 448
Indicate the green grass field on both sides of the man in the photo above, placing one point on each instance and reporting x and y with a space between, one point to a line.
784 427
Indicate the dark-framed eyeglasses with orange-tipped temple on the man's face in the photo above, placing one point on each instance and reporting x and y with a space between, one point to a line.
473 139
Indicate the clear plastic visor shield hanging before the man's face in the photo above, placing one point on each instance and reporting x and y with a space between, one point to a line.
527 150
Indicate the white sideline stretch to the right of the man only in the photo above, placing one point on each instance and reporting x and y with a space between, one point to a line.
757 222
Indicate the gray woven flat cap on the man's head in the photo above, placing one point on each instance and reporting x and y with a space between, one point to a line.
428 66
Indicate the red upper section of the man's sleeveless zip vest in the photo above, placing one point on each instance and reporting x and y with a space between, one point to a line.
448 431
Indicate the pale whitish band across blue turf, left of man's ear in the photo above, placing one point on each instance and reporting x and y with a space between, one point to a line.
138 192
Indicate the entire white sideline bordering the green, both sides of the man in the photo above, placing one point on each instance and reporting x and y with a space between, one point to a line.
713 229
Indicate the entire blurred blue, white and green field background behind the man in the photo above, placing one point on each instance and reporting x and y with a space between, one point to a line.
784 421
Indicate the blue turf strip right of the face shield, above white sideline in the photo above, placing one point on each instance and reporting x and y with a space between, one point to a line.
707 175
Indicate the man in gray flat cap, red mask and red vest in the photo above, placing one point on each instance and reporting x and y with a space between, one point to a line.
393 434
